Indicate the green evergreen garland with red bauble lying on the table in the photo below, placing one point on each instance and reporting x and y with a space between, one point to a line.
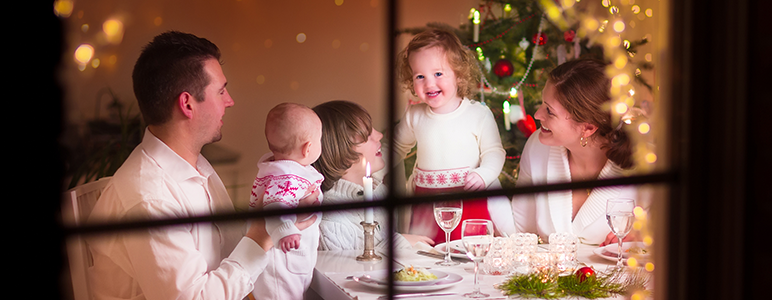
601 285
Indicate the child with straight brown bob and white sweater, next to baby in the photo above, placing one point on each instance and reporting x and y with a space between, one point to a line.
349 140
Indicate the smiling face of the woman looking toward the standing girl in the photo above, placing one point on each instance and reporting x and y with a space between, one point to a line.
557 127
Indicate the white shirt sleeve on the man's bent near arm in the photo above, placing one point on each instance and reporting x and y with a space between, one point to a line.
167 264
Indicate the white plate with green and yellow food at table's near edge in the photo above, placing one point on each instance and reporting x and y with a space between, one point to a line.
376 279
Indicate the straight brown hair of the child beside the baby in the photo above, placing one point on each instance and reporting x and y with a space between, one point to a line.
344 125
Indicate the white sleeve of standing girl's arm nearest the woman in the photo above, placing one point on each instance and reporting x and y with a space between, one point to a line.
492 154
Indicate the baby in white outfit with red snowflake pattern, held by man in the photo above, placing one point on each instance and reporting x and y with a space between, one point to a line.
286 179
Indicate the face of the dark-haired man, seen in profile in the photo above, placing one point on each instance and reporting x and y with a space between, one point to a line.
216 99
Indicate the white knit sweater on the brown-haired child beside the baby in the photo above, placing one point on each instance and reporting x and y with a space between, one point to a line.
340 230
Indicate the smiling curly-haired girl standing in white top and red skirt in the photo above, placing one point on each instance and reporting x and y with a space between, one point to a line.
459 147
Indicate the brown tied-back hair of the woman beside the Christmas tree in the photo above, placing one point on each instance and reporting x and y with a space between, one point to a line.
583 89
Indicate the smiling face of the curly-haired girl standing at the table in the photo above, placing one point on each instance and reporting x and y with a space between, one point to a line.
434 81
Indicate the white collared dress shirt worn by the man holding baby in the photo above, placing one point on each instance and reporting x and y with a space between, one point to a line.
189 261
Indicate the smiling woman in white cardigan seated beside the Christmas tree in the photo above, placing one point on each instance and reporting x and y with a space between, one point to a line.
576 142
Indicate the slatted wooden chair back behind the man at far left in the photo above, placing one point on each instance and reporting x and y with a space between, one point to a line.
77 206
